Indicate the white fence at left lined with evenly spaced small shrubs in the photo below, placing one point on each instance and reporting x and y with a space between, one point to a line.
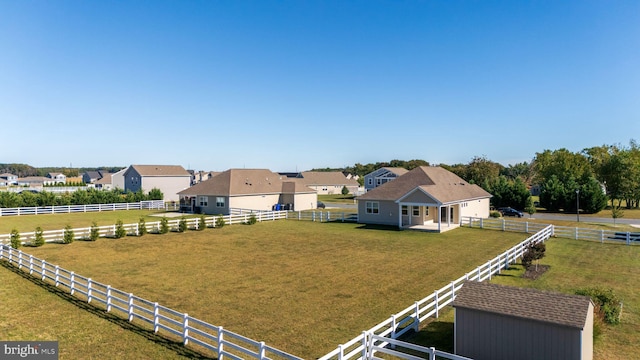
151 227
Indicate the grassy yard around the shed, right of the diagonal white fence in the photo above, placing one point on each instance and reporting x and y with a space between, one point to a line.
574 265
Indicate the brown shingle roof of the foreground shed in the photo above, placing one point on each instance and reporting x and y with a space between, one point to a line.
532 304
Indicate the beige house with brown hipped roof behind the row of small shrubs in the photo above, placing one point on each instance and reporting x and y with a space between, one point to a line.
247 189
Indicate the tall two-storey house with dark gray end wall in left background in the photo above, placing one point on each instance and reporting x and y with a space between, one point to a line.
170 179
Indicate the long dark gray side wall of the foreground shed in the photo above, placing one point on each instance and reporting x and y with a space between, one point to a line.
481 335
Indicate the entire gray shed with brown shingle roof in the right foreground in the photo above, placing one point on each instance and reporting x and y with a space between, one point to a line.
501 322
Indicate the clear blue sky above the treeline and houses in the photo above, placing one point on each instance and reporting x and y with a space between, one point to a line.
289 85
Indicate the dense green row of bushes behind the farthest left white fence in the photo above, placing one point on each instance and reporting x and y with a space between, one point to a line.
79 197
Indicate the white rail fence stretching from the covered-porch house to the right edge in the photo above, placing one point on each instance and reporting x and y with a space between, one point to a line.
630 238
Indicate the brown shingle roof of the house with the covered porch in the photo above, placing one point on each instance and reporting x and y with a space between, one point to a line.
440 183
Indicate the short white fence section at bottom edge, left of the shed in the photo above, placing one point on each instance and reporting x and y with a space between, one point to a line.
397 349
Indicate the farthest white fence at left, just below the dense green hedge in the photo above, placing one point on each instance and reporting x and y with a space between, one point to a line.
64 209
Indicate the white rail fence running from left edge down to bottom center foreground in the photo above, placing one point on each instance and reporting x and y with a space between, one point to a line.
223 343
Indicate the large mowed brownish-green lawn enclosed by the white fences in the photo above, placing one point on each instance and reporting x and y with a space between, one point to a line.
303 287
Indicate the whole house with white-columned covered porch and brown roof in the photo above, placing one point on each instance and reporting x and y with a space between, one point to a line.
426 197
